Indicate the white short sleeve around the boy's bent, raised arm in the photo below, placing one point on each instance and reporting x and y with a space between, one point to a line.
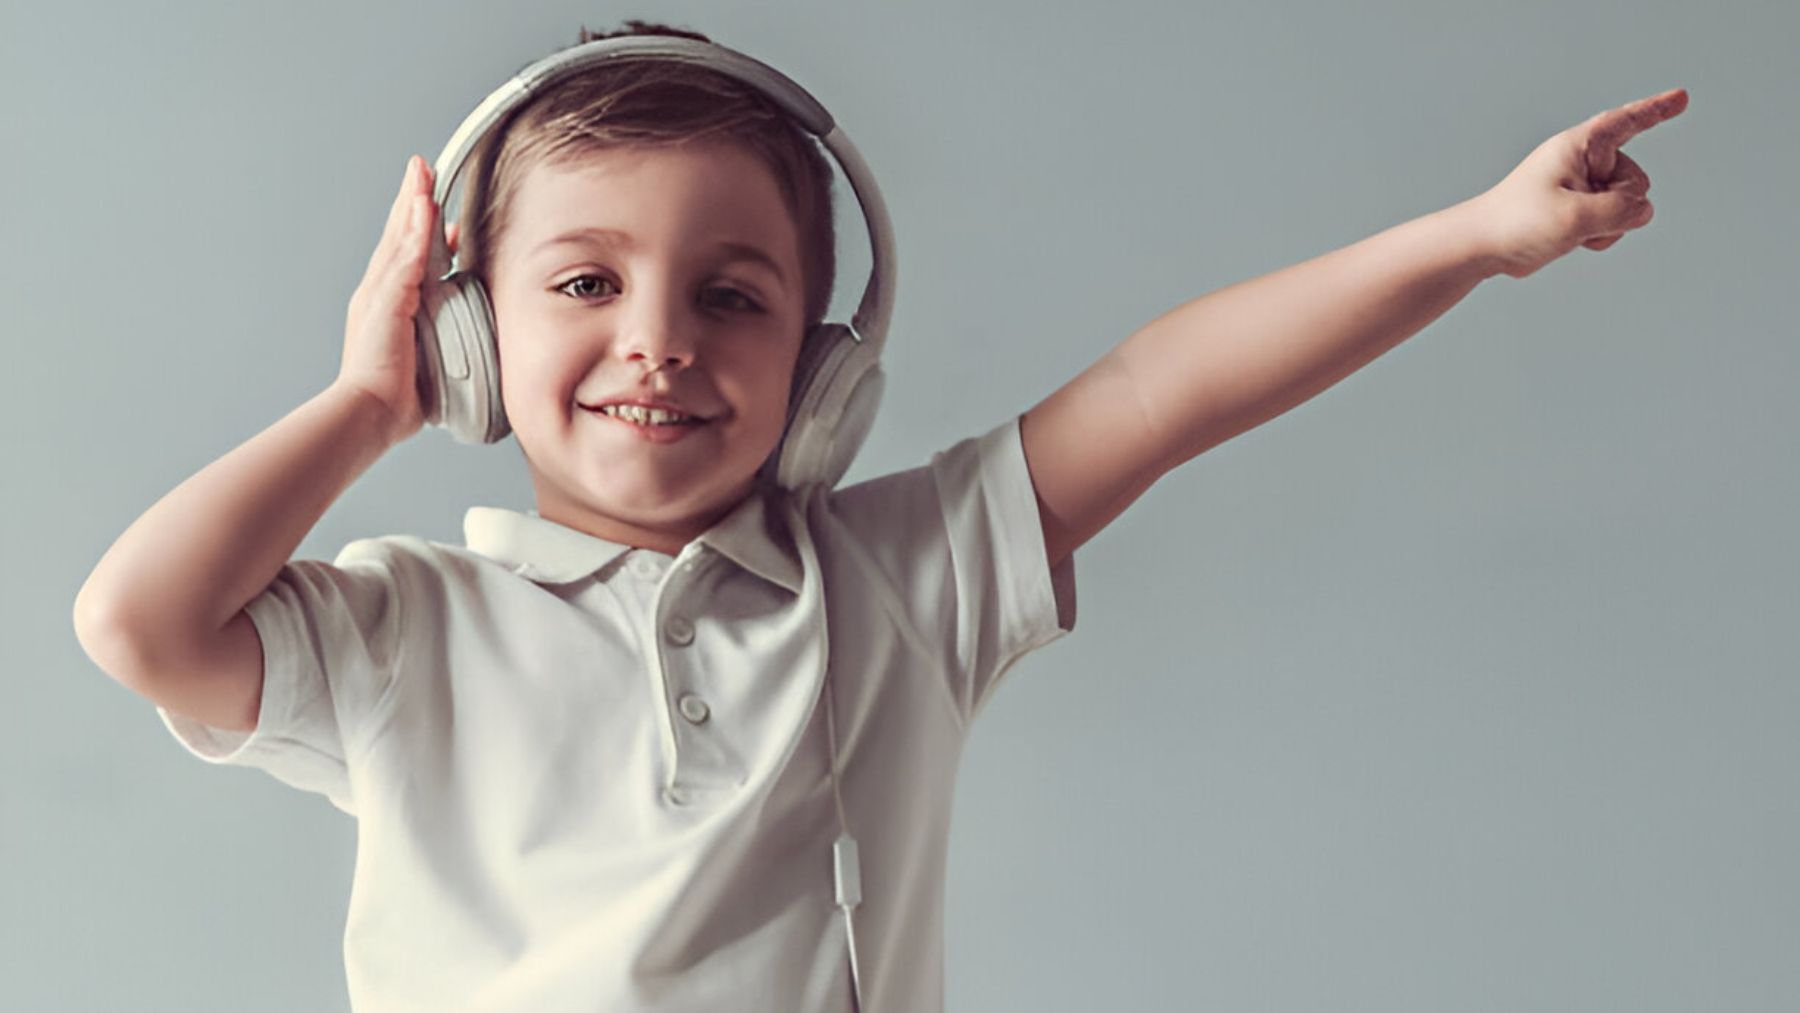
332 640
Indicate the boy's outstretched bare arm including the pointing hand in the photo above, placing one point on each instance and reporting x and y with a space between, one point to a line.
1236 359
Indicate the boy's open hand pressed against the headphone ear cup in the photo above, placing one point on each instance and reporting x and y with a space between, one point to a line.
381 348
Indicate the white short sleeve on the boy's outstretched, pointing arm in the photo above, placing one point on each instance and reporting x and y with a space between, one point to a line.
962 546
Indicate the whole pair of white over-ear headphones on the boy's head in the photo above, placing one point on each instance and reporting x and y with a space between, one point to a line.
838 379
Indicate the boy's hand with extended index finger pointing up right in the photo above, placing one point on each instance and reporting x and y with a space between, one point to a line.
1576 190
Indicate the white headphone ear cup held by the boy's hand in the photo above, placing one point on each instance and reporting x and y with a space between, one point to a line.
458 361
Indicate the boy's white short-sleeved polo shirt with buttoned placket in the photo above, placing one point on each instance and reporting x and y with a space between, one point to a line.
597 778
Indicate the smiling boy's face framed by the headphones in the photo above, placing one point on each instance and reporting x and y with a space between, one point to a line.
663 312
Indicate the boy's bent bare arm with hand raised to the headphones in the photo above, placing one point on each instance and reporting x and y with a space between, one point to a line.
165 609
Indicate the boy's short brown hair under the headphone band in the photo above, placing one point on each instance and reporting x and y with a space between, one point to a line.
652 103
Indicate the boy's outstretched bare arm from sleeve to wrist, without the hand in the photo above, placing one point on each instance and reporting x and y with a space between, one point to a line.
1232 361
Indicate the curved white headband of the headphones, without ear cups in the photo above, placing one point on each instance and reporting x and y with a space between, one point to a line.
876 309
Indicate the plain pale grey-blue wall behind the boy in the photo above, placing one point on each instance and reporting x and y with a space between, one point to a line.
1470 685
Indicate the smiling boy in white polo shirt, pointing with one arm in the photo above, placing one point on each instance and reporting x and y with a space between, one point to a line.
589 755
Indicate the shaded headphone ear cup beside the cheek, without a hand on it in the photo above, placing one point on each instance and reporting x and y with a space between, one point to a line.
836 395
